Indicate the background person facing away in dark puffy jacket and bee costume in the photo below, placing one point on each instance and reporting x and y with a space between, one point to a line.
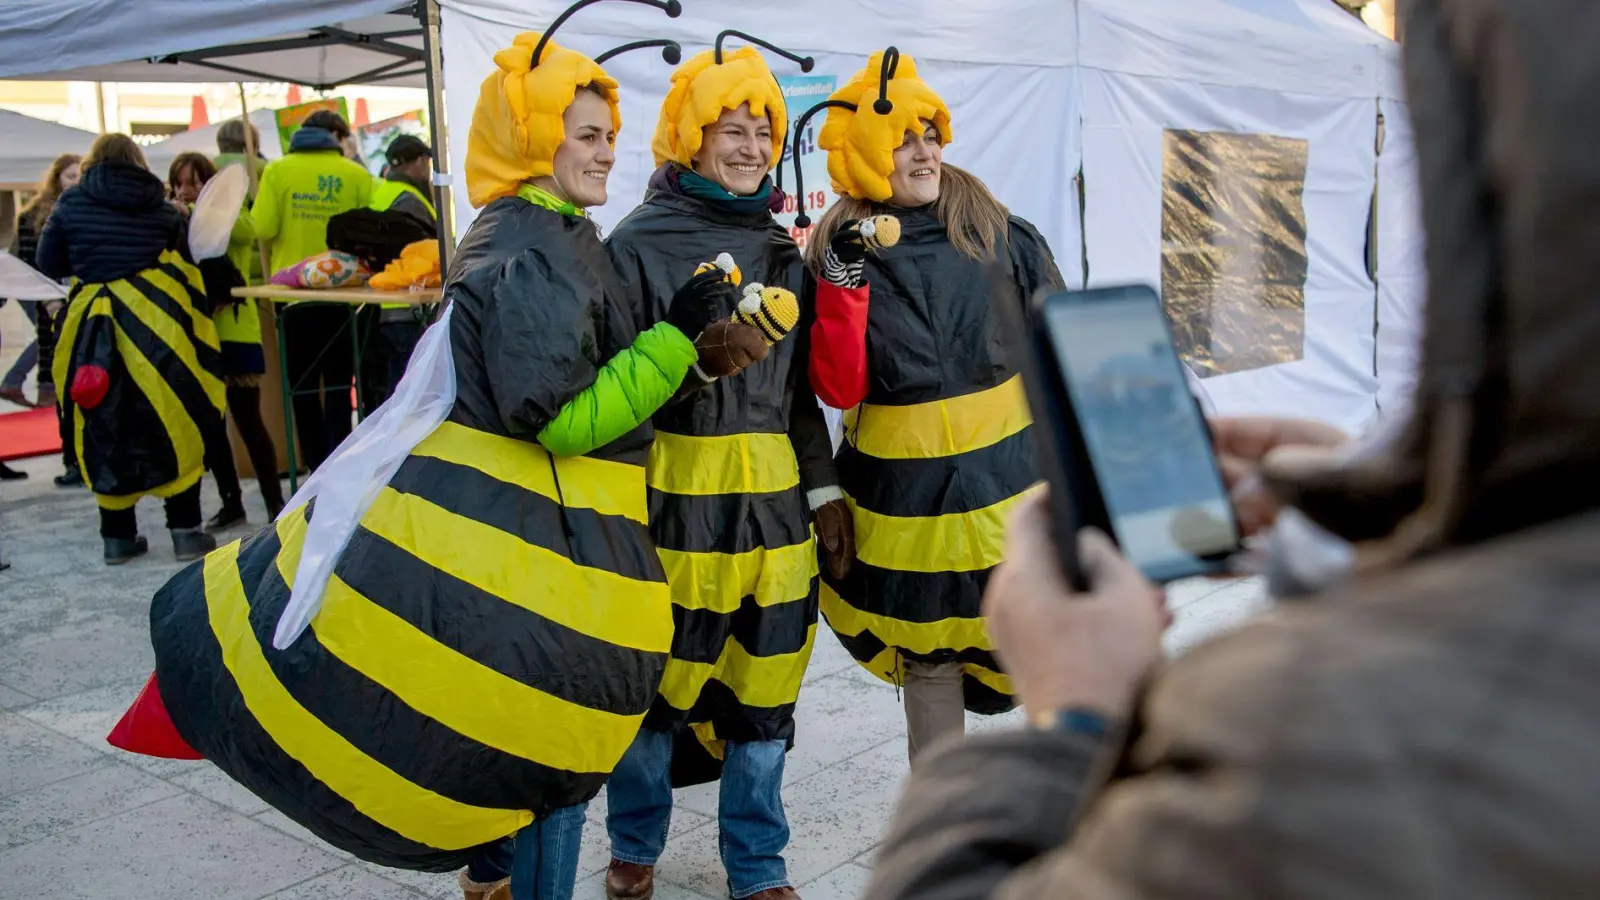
138 361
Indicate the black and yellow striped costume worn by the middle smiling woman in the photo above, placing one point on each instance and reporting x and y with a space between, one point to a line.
729 475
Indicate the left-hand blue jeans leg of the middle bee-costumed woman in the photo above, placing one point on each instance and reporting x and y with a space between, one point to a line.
639 800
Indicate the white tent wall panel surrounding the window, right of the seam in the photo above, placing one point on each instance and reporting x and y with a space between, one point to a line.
1151 70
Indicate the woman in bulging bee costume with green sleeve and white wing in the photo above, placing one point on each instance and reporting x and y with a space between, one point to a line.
458 640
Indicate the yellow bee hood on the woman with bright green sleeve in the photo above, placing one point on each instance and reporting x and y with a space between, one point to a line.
518 123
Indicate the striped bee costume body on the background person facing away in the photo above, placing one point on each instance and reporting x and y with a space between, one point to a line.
154 337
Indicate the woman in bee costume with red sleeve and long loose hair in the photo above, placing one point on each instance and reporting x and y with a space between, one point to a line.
913 342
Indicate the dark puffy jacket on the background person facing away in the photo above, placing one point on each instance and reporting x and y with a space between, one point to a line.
114 223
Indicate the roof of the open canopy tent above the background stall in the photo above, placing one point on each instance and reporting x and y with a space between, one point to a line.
319 44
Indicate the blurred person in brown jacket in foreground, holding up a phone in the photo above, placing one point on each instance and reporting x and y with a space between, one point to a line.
1425 728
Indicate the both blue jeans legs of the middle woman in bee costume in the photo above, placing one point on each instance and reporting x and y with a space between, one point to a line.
750 810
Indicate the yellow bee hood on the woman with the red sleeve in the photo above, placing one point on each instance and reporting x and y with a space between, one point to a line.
862 142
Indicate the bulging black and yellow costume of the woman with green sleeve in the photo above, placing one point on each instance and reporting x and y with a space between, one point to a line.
497 630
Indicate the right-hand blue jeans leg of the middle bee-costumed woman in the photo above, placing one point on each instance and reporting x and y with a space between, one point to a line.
751 818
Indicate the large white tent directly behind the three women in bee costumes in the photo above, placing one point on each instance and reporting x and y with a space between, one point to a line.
1047 90
